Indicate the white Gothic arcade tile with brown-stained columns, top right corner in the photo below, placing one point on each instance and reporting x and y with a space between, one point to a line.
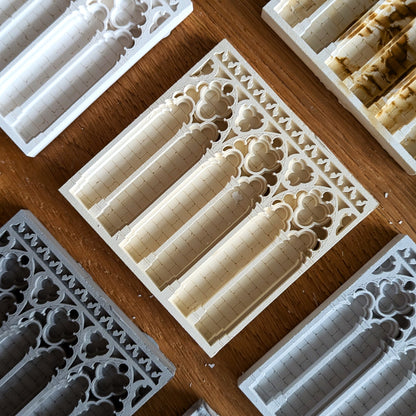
364 51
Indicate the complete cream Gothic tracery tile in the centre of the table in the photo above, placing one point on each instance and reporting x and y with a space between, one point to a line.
218 197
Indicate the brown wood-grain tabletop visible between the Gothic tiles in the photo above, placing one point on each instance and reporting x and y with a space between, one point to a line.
33 184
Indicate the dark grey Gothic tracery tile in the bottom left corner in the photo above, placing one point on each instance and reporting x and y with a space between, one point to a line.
65 348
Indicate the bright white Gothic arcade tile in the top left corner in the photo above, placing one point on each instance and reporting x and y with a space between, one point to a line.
58 56
